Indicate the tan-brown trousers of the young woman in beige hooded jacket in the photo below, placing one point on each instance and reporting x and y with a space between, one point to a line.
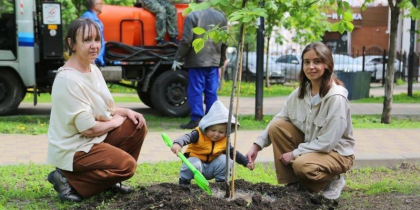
313 170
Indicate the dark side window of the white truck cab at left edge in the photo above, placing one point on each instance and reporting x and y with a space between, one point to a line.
7 30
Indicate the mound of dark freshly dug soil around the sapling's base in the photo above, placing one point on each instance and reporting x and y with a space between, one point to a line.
246 196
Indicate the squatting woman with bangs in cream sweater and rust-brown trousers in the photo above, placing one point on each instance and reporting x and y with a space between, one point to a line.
93 144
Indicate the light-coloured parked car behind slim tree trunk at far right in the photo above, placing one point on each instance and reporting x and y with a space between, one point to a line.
374 64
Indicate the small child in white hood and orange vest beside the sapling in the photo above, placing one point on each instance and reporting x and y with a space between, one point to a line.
207 146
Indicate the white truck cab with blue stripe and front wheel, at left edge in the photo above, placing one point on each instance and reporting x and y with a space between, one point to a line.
31 49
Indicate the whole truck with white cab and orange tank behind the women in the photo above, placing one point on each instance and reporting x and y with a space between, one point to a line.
31 51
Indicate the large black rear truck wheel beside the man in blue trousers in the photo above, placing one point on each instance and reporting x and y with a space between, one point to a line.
169 93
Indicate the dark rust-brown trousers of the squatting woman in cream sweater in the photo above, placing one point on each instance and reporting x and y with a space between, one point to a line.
112 161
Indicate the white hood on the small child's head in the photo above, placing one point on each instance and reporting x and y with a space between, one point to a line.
217 114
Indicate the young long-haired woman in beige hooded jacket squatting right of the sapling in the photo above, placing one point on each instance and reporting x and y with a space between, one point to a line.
312 136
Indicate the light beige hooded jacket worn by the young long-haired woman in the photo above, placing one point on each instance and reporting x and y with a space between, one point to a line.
327 125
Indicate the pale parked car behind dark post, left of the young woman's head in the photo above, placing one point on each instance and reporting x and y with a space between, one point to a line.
276 75
